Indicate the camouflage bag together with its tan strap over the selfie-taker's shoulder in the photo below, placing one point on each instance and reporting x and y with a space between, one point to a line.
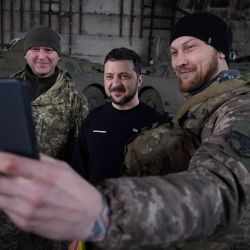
168 148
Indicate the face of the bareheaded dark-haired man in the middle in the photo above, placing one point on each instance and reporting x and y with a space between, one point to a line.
121 83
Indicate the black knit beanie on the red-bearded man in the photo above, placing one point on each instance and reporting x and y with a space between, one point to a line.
207 27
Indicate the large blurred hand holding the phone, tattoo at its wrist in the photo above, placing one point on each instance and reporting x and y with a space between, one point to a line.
48 198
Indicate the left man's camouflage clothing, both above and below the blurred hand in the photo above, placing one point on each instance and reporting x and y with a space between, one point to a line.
57 114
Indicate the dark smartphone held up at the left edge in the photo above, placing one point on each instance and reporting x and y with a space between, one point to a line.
17 130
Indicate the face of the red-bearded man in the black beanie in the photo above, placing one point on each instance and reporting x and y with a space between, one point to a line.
194 62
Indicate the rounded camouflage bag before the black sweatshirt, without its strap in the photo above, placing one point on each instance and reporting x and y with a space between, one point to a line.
159 150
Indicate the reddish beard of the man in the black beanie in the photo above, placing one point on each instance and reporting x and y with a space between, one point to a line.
200 79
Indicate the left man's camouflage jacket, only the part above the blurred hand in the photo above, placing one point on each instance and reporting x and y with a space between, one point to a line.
57 114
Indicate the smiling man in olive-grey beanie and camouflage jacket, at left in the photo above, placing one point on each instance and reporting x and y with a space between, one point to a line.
58 108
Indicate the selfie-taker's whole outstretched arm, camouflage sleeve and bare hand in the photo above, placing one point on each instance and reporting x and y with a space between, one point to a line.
50 199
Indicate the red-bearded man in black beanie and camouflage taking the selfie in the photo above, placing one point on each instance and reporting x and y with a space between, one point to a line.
205 207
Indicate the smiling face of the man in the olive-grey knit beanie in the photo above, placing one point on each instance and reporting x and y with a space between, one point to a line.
42 60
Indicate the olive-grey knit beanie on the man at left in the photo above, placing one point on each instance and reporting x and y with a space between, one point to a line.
42 36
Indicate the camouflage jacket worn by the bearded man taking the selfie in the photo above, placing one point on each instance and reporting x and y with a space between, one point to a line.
209 203
